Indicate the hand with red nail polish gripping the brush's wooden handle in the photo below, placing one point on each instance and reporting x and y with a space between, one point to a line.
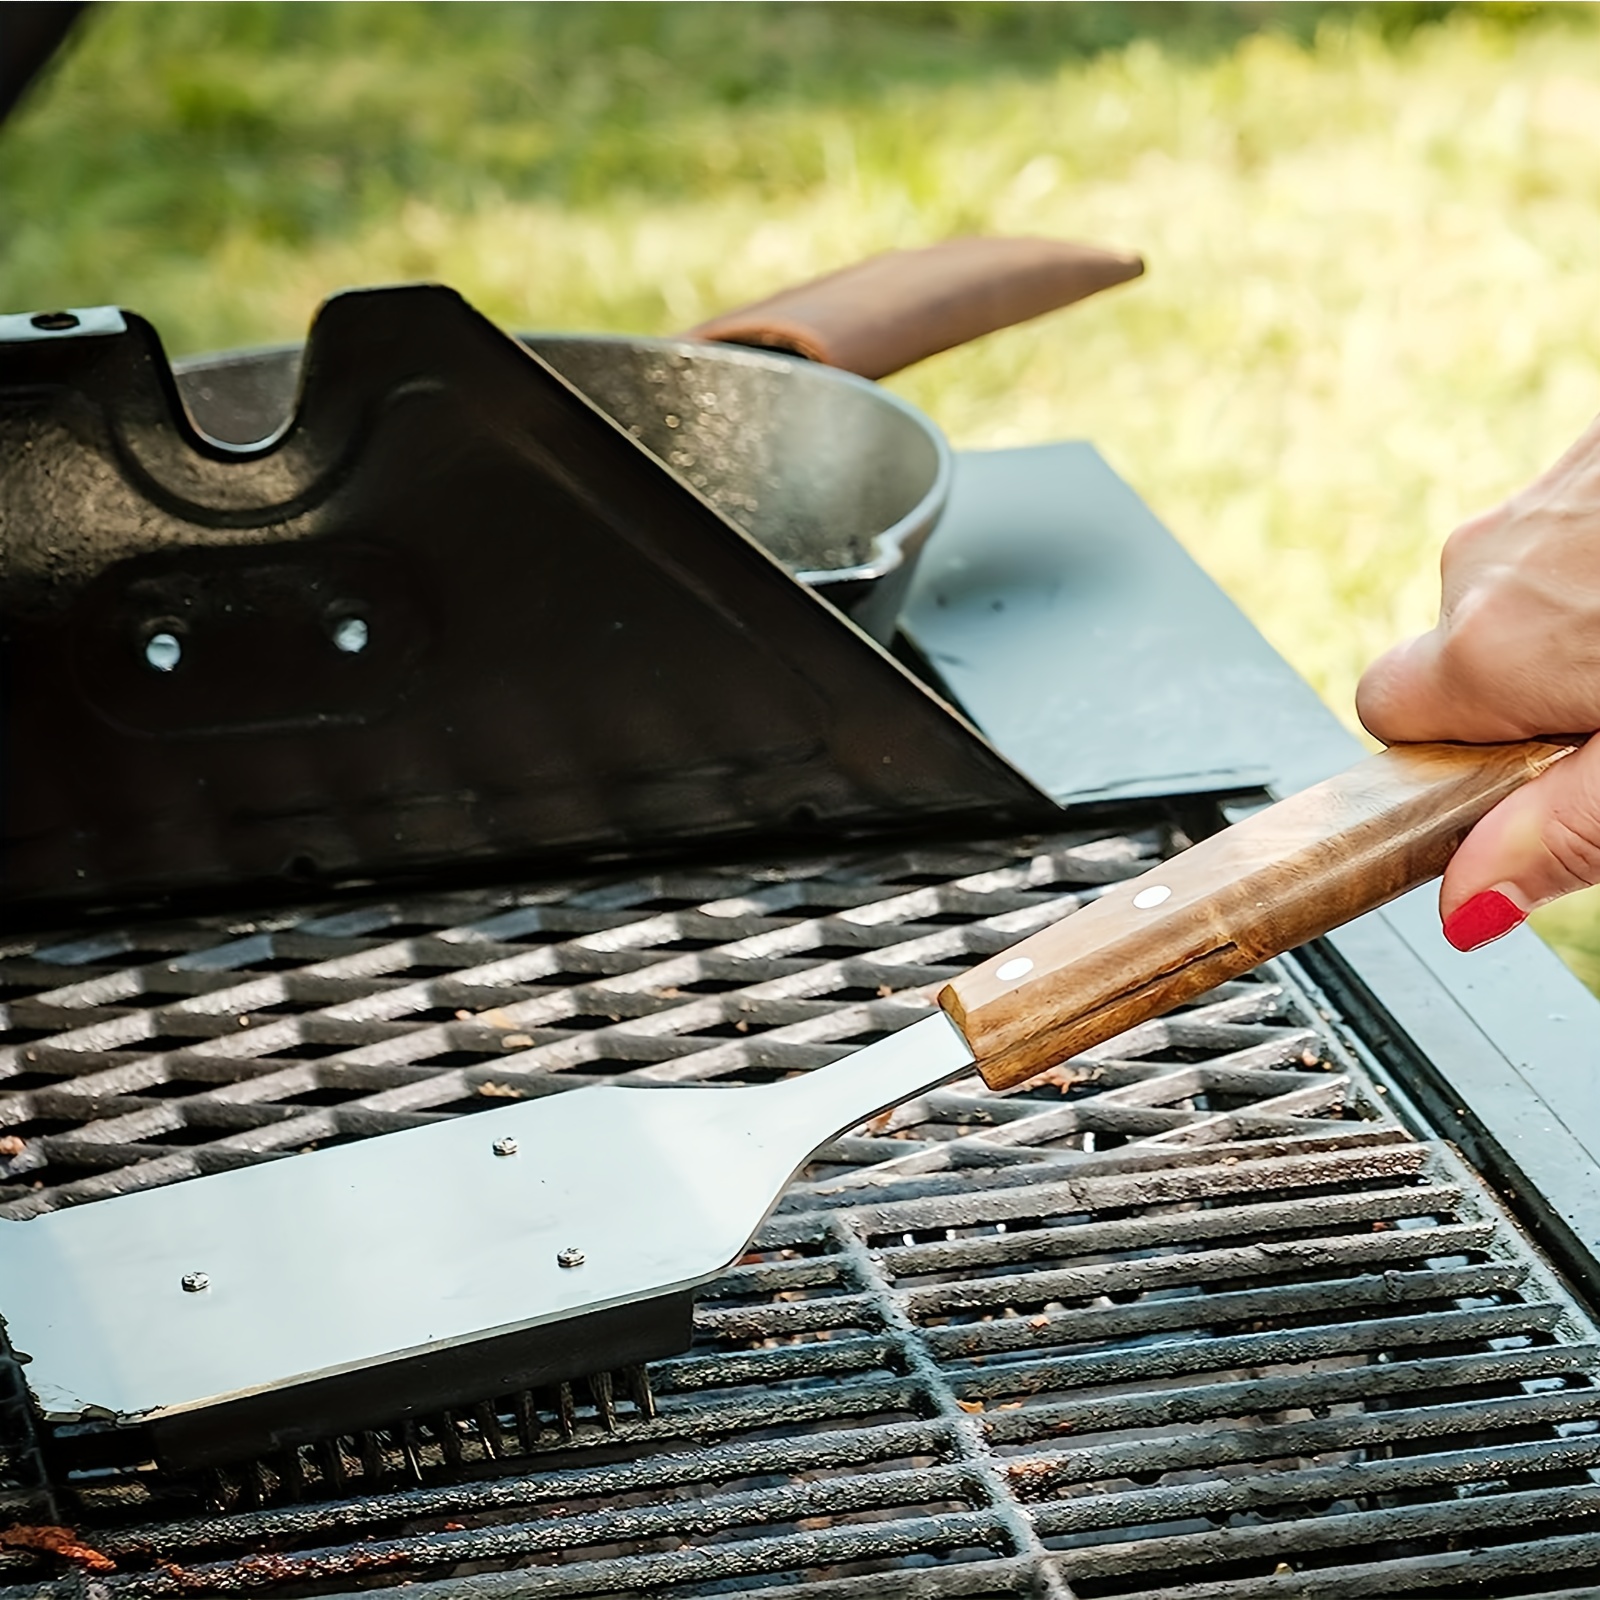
1516 654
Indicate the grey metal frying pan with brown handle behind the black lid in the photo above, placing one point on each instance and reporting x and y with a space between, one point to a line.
762 410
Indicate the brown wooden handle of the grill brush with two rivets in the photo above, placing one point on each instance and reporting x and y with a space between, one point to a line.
1281 878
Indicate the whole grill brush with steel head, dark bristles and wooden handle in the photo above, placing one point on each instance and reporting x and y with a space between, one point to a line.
258 1311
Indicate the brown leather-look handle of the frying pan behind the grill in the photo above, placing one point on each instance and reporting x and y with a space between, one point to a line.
900 308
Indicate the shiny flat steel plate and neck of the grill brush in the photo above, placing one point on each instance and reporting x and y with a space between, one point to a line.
426 1241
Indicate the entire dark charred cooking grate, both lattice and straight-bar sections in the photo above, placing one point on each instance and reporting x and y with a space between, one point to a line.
1194 1316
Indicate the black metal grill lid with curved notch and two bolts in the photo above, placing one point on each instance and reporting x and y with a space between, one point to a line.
452 614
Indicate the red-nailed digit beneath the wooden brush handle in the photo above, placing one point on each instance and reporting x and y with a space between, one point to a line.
1537 846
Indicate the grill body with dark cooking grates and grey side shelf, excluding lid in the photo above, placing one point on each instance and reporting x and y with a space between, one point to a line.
1209 1313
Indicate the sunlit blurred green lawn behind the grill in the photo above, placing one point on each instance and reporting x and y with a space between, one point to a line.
1374 233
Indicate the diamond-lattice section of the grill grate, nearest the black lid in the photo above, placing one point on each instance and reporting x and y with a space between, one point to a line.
142 1057
